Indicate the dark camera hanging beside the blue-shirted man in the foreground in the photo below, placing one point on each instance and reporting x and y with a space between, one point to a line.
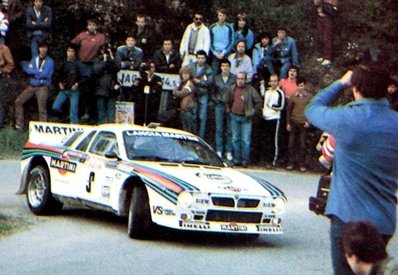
318 203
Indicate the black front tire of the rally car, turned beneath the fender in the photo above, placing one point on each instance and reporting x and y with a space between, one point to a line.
140 224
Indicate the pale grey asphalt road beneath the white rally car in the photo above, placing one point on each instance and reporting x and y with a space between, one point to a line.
84 241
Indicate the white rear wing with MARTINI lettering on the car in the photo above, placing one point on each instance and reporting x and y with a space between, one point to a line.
52 133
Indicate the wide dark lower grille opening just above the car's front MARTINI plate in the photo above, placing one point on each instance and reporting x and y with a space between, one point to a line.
233 216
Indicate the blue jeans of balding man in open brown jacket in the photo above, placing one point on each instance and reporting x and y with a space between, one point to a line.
241 127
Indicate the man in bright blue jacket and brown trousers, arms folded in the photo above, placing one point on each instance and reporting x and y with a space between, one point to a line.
40 70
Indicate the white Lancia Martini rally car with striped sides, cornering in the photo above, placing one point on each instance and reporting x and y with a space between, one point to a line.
151 174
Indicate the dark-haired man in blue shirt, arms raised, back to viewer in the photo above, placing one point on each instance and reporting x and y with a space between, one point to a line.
364 181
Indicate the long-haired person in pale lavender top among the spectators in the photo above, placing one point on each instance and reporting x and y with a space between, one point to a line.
241 62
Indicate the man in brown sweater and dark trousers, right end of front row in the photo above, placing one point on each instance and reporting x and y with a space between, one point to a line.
297 126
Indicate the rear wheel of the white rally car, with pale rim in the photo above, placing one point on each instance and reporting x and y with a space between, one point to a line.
38 195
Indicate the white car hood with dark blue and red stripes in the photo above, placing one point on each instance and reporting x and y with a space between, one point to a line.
211 179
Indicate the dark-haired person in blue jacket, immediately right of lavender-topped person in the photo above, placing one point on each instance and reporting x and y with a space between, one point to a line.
262 57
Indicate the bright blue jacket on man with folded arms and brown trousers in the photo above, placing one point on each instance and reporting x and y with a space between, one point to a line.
39 76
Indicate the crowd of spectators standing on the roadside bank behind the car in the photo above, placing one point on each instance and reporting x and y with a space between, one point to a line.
252 87
